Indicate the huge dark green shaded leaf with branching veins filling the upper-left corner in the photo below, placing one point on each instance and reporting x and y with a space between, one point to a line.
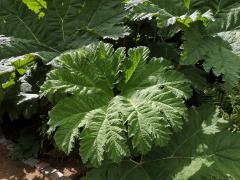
66 23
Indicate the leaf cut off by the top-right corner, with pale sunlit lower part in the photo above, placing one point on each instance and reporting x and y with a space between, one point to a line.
227 21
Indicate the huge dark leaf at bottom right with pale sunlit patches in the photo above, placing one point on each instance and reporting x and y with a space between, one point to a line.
200 151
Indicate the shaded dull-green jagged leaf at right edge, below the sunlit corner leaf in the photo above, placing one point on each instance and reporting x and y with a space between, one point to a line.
216 53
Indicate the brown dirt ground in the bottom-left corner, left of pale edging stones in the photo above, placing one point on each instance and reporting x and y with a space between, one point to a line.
16 170
